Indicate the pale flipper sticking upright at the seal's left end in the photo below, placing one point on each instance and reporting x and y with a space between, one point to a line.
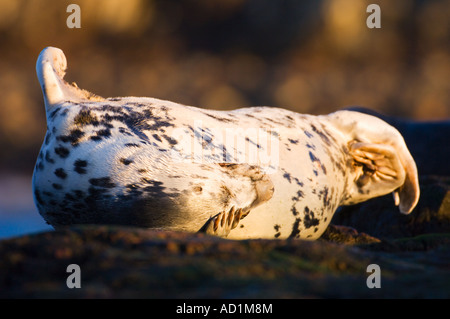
51 67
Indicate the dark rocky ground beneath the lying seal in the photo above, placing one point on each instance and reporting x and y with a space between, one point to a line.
413 253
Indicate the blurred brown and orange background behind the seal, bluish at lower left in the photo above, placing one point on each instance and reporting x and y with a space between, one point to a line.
307 56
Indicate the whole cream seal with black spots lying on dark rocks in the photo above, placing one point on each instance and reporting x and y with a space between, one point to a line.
121 161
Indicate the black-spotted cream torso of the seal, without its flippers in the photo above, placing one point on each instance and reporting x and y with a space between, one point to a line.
98 166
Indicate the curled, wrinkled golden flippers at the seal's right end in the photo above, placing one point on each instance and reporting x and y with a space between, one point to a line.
381 160
